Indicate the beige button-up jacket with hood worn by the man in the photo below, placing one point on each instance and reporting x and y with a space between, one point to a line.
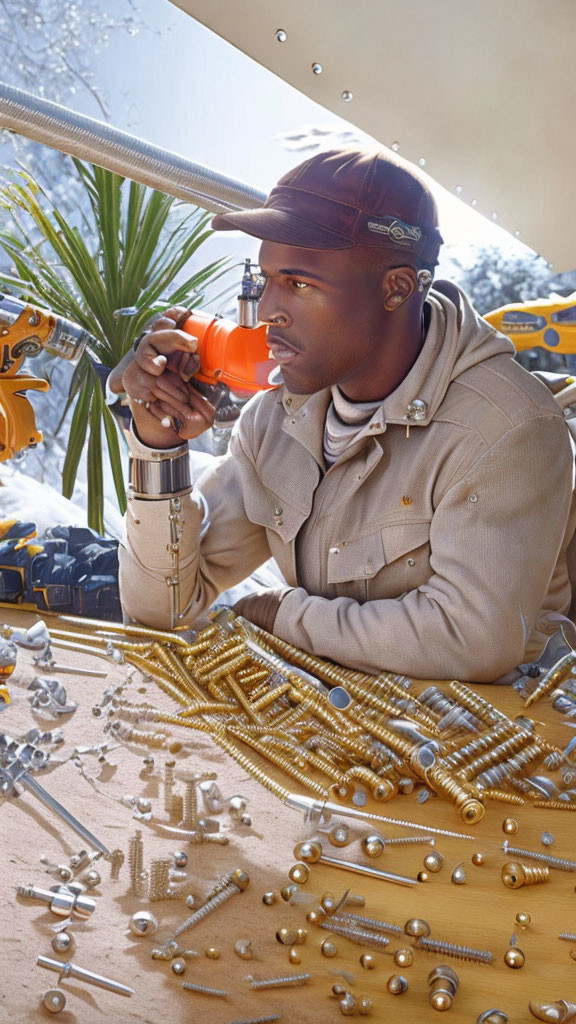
434 547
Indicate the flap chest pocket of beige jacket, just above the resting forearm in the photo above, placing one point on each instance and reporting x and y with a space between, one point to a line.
384 565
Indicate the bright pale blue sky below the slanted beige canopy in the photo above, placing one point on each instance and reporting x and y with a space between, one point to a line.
180 87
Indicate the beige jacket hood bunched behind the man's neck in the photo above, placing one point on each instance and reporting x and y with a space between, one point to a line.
458 339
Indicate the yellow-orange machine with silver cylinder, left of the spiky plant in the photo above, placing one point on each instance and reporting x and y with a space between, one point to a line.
26 330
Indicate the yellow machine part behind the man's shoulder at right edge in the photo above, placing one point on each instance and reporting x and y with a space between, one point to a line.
547 324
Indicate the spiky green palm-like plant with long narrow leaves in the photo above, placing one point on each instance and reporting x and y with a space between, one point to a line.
142 241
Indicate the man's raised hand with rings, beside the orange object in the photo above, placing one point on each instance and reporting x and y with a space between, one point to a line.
166 409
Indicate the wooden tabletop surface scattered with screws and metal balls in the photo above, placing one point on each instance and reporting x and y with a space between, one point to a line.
479 914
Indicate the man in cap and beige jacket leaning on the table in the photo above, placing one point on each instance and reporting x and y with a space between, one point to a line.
412 481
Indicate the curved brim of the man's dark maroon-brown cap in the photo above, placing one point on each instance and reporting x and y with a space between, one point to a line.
276 226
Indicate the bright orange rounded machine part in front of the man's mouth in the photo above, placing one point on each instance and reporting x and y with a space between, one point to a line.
231 355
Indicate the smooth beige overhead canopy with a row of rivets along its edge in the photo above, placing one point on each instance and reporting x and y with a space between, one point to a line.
484 93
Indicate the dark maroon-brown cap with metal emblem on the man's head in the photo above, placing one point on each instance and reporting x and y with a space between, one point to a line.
346 198
